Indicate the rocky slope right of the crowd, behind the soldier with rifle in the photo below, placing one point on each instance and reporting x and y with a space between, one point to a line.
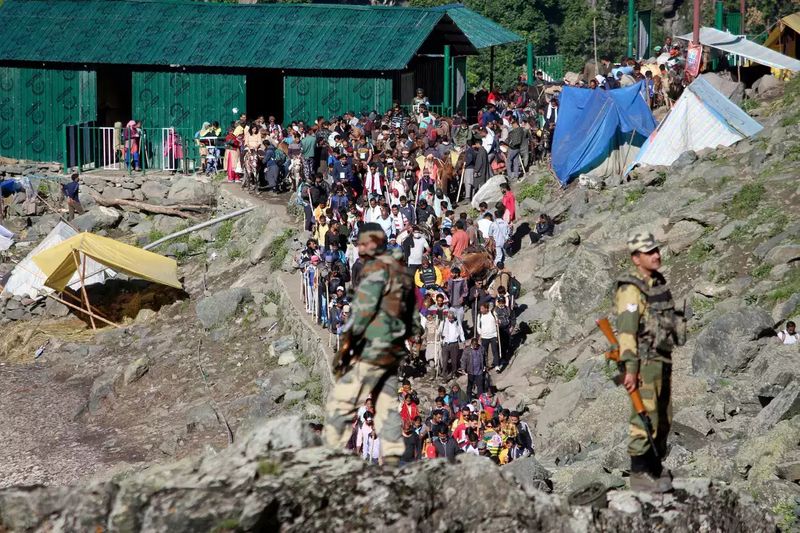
729 221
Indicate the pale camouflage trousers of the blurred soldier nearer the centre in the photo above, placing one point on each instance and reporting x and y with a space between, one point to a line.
349 394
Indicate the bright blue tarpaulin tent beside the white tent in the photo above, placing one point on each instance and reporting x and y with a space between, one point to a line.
595 126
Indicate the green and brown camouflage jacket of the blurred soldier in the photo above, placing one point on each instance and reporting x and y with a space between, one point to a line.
383 312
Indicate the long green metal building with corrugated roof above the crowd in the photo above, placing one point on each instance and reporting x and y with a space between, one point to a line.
173 63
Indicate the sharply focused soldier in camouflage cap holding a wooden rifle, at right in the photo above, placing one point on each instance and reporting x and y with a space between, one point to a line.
647 333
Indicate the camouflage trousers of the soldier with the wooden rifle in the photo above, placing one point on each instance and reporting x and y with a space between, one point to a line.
655 386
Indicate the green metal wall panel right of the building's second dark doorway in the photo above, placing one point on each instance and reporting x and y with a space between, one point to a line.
306 98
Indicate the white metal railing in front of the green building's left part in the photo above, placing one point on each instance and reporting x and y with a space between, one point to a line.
91 147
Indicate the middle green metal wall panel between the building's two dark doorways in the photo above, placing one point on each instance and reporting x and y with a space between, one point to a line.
179 99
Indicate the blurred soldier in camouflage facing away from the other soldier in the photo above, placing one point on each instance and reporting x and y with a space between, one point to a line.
382 318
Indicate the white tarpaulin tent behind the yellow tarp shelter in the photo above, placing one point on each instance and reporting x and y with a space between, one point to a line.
27 279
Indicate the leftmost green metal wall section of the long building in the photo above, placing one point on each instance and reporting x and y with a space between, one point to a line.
36 104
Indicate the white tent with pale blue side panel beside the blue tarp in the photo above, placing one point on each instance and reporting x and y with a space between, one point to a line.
701 118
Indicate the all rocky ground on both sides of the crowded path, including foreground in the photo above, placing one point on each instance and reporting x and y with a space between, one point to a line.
93 426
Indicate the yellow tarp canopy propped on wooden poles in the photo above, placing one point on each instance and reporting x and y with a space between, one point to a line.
59 265
